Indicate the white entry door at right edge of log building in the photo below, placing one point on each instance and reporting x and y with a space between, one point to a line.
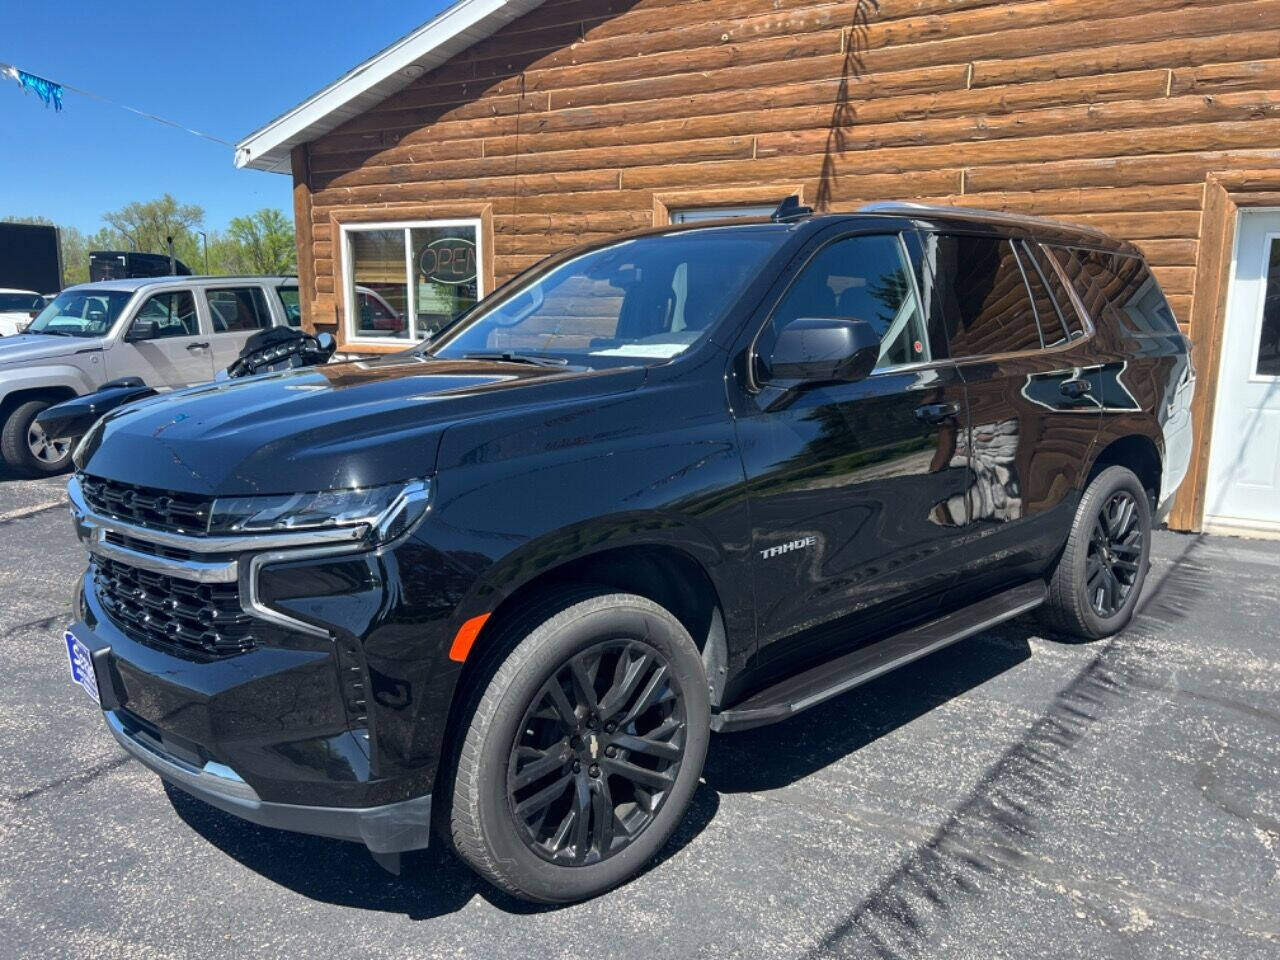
1245 454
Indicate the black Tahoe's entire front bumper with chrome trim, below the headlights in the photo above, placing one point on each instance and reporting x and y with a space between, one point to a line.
330 720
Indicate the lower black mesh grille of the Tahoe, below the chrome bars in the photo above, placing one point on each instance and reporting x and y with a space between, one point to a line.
175 615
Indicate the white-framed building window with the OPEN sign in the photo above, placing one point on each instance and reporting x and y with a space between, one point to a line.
406 281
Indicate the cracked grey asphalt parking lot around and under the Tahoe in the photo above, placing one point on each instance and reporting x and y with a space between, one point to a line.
1013 797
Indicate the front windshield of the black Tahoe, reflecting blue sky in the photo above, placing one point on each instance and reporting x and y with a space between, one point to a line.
650 298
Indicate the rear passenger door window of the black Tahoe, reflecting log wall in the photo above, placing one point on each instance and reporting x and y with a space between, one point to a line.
984 298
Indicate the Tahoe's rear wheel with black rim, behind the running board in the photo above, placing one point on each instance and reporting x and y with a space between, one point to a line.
1081 600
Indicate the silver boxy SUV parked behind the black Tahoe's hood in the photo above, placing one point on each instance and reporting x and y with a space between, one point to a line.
170 332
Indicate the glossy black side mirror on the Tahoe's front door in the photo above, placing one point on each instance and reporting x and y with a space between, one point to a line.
824 350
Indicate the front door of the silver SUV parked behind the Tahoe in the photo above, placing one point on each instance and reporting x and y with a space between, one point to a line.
176 354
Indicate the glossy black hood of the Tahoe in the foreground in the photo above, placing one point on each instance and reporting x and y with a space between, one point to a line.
340 426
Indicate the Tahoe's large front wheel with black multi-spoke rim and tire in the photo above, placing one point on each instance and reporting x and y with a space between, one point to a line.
519 748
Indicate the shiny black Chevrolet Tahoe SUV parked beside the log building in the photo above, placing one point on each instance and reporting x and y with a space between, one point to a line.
700 479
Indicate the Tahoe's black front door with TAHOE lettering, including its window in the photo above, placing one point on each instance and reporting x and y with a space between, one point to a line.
857 490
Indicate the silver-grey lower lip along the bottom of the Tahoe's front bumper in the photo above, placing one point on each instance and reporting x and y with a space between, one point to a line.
388 829
